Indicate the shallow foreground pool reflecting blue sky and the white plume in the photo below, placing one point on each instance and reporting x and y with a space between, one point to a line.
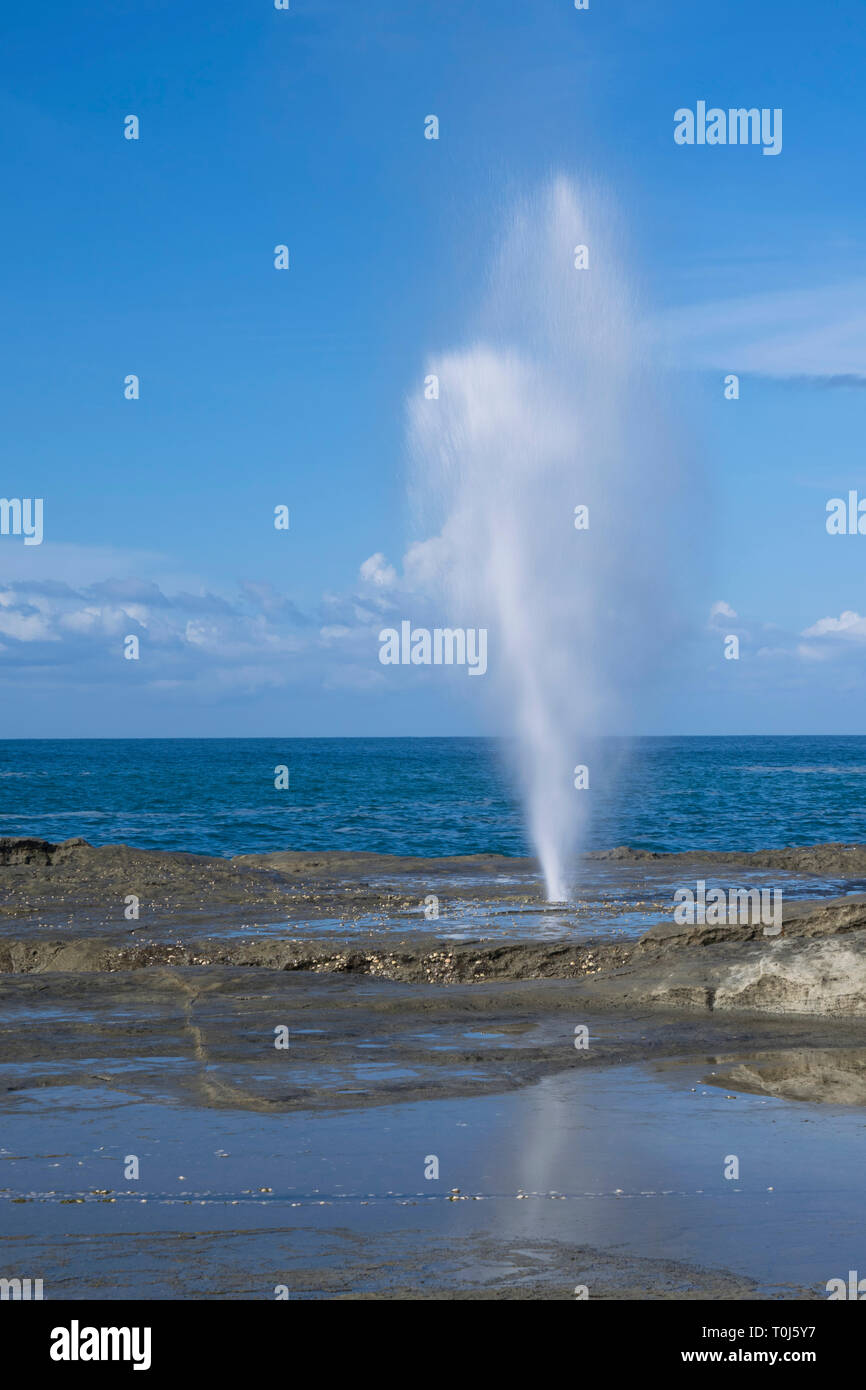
604 1170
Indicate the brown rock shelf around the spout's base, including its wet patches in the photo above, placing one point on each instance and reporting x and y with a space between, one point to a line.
63 908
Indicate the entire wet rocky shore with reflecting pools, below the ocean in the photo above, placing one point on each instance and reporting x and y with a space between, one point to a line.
409 1038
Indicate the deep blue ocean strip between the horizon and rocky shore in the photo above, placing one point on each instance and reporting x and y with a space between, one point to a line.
429 797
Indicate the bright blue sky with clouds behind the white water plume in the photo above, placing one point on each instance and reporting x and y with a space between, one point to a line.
261 127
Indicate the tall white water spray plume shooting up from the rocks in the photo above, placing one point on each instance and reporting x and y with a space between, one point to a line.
550 409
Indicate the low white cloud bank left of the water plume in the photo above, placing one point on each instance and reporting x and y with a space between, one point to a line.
194 640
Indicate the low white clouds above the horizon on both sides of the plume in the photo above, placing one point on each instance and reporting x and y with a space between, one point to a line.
224 643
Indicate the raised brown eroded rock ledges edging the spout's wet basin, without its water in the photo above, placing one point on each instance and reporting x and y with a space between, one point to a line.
815 967
